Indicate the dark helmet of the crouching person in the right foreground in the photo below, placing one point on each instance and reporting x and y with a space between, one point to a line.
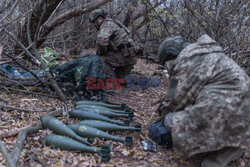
170 48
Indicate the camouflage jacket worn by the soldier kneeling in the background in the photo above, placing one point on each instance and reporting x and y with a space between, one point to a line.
116 42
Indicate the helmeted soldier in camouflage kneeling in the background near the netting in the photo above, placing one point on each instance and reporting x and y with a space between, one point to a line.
114 45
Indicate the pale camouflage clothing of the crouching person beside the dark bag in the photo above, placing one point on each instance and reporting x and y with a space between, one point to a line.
208 101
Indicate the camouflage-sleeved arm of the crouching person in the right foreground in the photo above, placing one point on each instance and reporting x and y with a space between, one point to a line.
185 85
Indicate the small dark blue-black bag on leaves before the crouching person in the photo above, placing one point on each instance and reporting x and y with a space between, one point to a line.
160 134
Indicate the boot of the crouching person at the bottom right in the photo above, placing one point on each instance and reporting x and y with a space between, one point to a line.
222 157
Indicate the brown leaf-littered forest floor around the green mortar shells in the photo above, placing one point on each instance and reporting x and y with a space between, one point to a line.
37 154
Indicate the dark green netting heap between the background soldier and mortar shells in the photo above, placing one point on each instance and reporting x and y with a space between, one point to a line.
77 71
